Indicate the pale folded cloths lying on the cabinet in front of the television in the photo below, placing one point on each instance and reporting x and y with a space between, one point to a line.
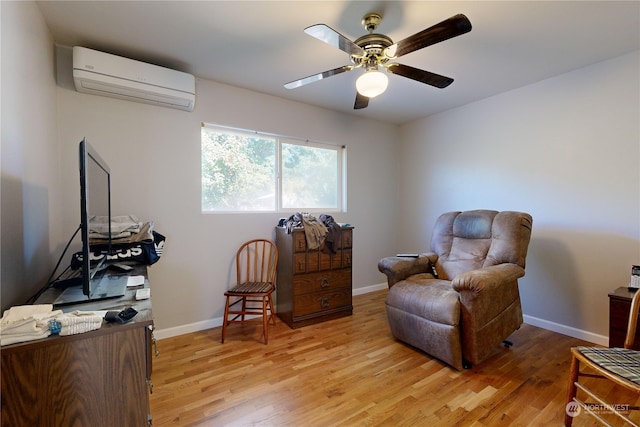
32 322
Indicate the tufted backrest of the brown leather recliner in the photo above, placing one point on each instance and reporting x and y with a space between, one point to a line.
471 240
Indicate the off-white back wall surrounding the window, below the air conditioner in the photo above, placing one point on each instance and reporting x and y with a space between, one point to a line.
154 155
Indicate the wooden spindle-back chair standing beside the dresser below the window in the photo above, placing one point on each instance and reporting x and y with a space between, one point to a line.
256 263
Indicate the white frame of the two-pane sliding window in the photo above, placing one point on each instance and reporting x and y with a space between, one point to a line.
279 141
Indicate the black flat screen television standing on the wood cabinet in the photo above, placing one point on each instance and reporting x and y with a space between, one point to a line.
95 229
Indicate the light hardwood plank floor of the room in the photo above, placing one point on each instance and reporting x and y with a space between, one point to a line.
352 372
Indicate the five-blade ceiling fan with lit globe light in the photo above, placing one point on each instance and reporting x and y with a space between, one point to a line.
374 51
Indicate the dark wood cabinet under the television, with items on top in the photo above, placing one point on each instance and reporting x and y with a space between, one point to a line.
98 378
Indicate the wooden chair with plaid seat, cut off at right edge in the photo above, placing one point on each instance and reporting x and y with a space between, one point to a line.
620 365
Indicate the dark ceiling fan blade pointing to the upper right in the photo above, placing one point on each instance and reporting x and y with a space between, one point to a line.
449 28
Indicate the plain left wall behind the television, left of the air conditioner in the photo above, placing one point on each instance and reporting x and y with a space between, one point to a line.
30 189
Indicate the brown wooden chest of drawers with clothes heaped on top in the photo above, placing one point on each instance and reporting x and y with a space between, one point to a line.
312 285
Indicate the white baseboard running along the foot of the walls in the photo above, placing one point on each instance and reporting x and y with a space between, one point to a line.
534 321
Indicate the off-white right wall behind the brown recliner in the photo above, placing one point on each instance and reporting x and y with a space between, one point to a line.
566 150
